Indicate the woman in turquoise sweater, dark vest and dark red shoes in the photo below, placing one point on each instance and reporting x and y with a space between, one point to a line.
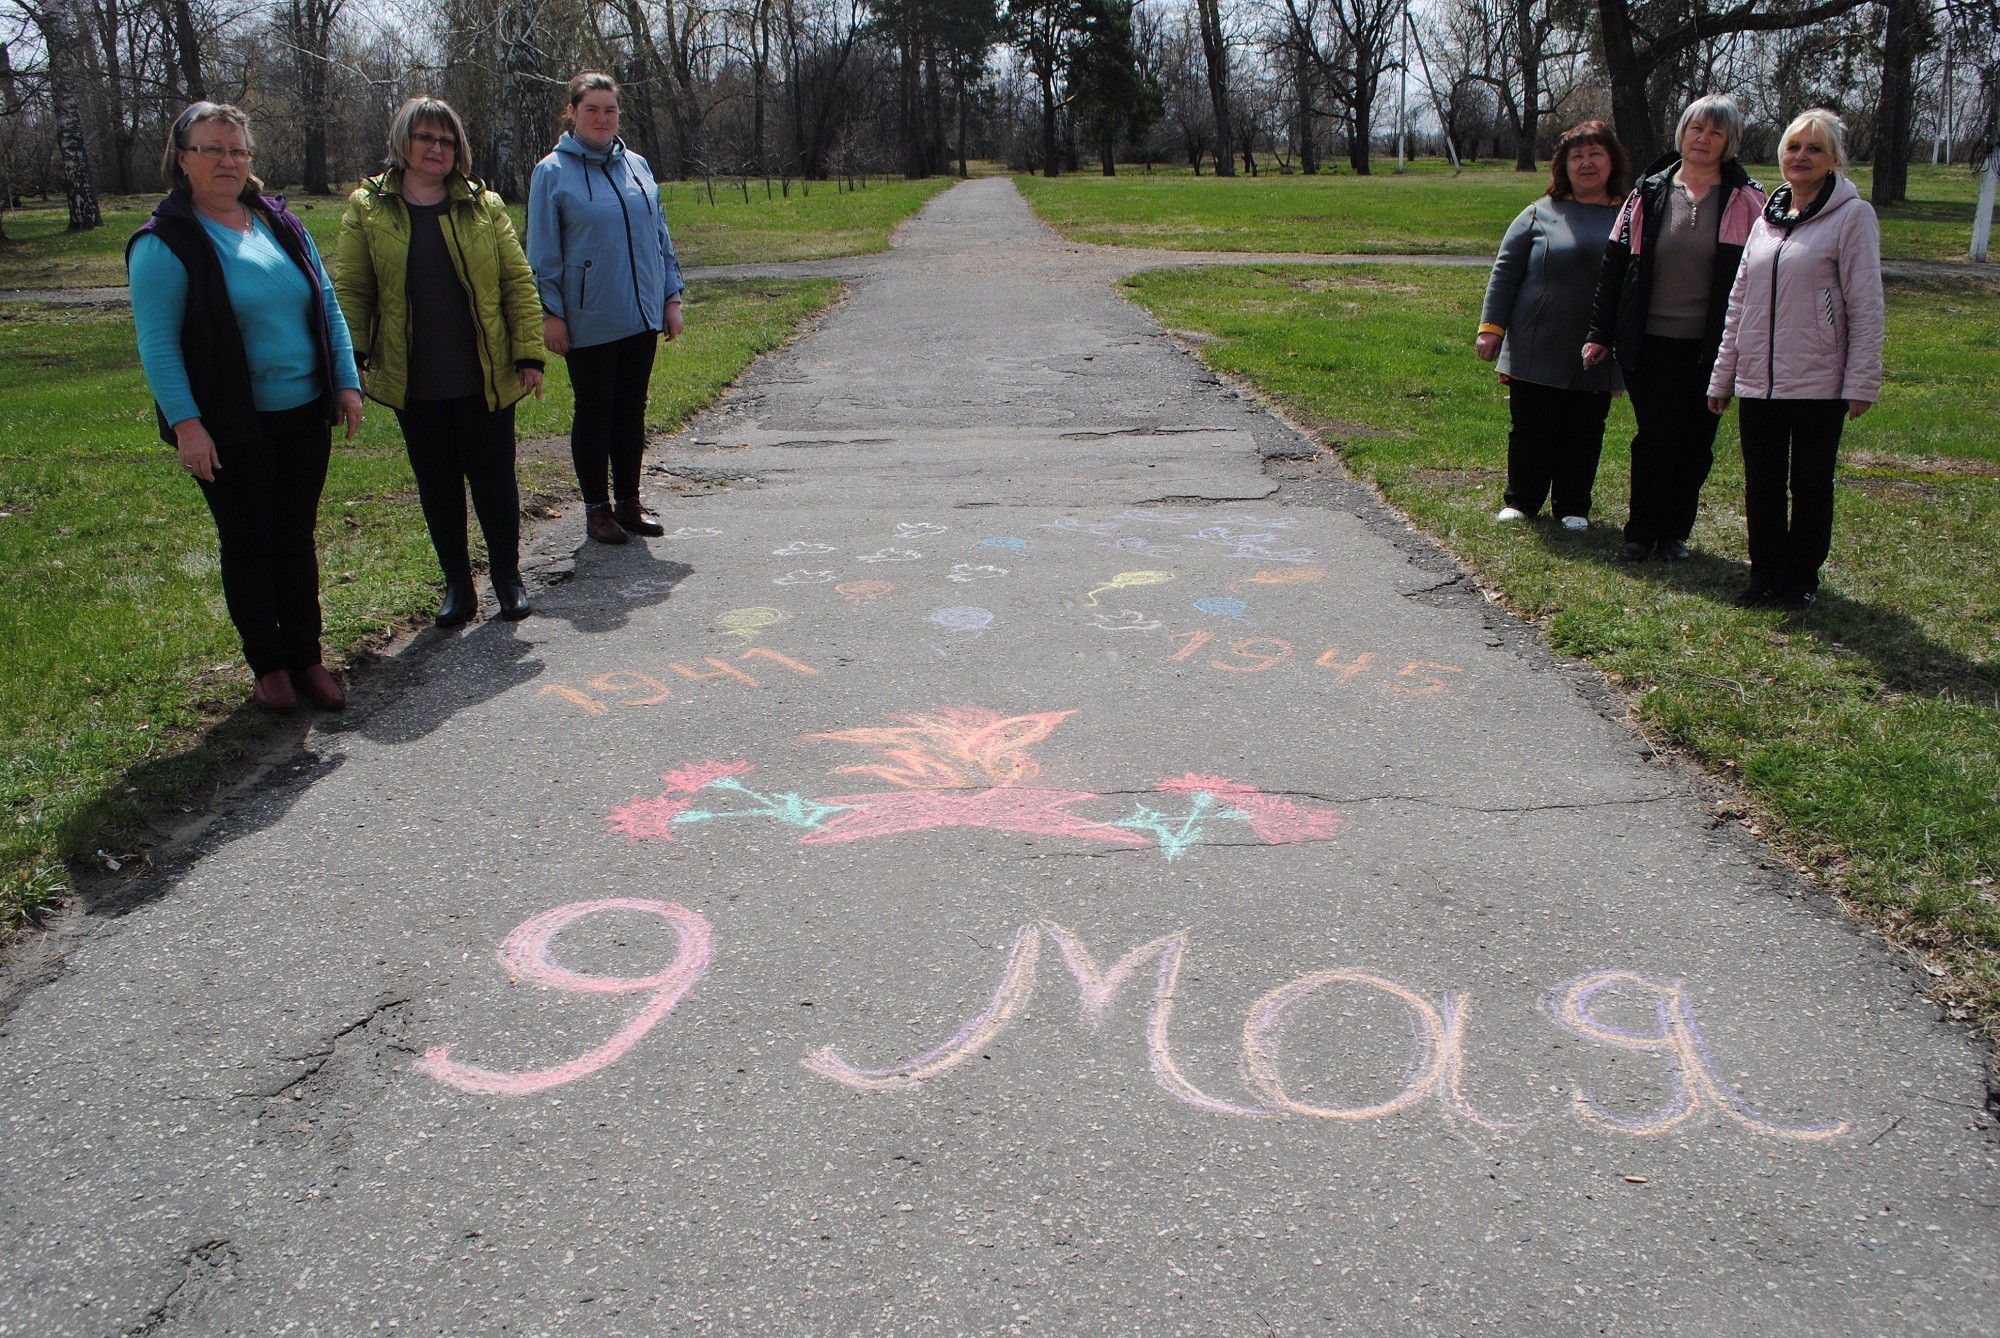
249 363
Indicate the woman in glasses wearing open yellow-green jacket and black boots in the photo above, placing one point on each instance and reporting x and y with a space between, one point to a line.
449 333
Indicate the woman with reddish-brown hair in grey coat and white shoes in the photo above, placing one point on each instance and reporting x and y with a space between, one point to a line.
1535 317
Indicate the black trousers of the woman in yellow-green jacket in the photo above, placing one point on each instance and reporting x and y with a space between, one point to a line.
455 445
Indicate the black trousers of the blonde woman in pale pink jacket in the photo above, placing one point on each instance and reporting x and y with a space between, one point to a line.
1789 449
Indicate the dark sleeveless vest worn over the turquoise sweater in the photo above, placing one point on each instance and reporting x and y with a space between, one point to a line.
211 343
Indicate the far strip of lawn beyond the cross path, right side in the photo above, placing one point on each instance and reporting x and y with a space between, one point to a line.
1425 211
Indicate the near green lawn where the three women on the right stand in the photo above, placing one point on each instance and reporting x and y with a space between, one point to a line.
1869 729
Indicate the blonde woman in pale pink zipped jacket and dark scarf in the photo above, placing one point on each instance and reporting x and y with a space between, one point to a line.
1803 349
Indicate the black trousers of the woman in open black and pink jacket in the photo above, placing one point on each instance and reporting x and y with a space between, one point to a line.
1675 445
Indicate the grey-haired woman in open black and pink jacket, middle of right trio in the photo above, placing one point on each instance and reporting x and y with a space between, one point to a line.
1663 293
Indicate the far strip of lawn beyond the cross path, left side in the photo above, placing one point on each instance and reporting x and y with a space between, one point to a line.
41 253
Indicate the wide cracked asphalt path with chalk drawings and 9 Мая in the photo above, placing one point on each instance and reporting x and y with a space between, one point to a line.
1029 851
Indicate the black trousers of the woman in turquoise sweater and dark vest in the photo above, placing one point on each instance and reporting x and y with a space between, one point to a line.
267 503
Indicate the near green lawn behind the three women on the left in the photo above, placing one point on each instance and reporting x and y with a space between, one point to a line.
125 685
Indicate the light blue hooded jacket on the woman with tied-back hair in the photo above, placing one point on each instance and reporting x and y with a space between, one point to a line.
599 243
